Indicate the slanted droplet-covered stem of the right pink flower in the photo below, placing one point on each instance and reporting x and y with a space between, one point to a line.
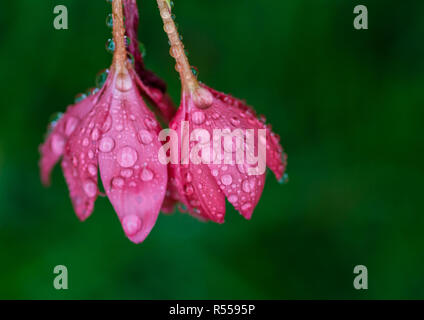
189 81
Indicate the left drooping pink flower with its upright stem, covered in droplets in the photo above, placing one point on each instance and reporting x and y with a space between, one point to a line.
112 131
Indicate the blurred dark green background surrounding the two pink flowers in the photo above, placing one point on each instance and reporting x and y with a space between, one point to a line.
348 105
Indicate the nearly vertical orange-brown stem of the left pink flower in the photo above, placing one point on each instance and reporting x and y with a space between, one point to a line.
120 55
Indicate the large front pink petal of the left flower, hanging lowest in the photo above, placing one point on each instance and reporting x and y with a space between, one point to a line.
134 179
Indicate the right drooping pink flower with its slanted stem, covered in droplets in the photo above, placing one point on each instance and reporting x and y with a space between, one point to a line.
203 187
